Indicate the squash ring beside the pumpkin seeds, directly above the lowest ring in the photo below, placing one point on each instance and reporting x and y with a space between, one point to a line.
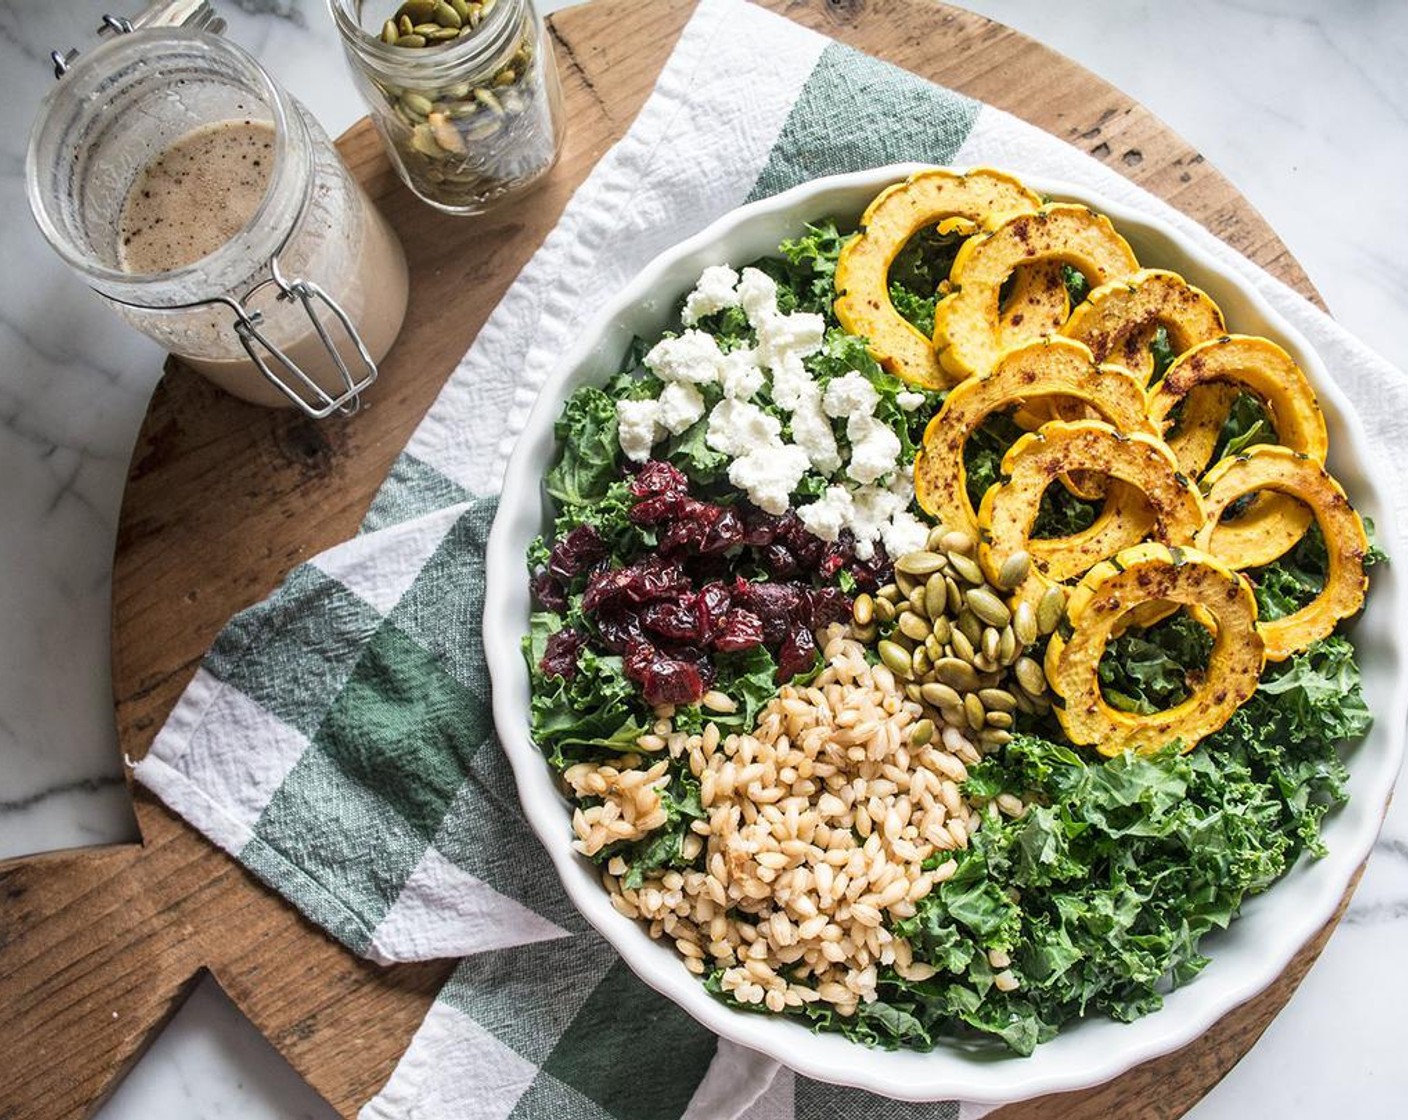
1038 459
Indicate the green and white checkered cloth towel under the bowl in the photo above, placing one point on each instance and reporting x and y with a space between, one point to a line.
337 739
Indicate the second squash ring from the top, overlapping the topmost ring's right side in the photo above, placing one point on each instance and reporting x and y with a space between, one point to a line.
968 322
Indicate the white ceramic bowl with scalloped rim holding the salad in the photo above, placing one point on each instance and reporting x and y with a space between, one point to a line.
1245 959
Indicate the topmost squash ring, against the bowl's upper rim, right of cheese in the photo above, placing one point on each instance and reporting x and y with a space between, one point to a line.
927 198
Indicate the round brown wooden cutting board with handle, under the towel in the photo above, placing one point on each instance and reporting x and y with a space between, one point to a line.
99 947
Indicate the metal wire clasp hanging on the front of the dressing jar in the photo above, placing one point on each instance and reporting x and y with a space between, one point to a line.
310 397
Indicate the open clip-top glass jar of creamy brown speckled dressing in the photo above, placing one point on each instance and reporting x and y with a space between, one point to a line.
209 208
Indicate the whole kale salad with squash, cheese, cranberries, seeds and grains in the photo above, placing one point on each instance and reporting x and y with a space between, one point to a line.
941 630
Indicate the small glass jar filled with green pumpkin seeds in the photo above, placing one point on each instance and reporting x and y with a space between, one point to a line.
465 94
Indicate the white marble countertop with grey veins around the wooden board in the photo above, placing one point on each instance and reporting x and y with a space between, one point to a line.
1302 104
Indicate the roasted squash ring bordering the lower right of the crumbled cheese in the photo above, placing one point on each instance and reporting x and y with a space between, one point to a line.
1052 367
